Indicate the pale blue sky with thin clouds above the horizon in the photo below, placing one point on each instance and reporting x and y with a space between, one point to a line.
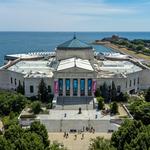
75 15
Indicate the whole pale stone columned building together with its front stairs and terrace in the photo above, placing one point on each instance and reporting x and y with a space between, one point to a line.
73 73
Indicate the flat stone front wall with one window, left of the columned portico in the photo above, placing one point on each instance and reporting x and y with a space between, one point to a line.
35 83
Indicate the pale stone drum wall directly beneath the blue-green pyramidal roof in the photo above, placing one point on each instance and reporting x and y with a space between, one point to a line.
83 54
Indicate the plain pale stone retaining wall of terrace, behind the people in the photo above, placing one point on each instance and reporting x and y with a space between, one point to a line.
66 125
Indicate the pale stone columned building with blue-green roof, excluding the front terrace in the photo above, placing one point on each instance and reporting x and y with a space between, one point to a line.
73 72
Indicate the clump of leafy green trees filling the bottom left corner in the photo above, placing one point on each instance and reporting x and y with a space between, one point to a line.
34 138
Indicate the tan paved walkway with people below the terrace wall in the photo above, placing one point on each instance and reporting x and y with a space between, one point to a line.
76 144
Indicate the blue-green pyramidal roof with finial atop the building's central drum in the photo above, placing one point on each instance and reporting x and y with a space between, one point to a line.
74 44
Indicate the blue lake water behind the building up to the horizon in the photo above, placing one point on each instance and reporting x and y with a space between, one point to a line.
23 42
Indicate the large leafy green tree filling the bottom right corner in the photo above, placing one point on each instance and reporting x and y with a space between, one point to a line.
131 135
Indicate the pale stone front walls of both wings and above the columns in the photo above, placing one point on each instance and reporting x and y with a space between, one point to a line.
6 75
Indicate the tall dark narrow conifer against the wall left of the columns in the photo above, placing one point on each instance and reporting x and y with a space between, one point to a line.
42 91
